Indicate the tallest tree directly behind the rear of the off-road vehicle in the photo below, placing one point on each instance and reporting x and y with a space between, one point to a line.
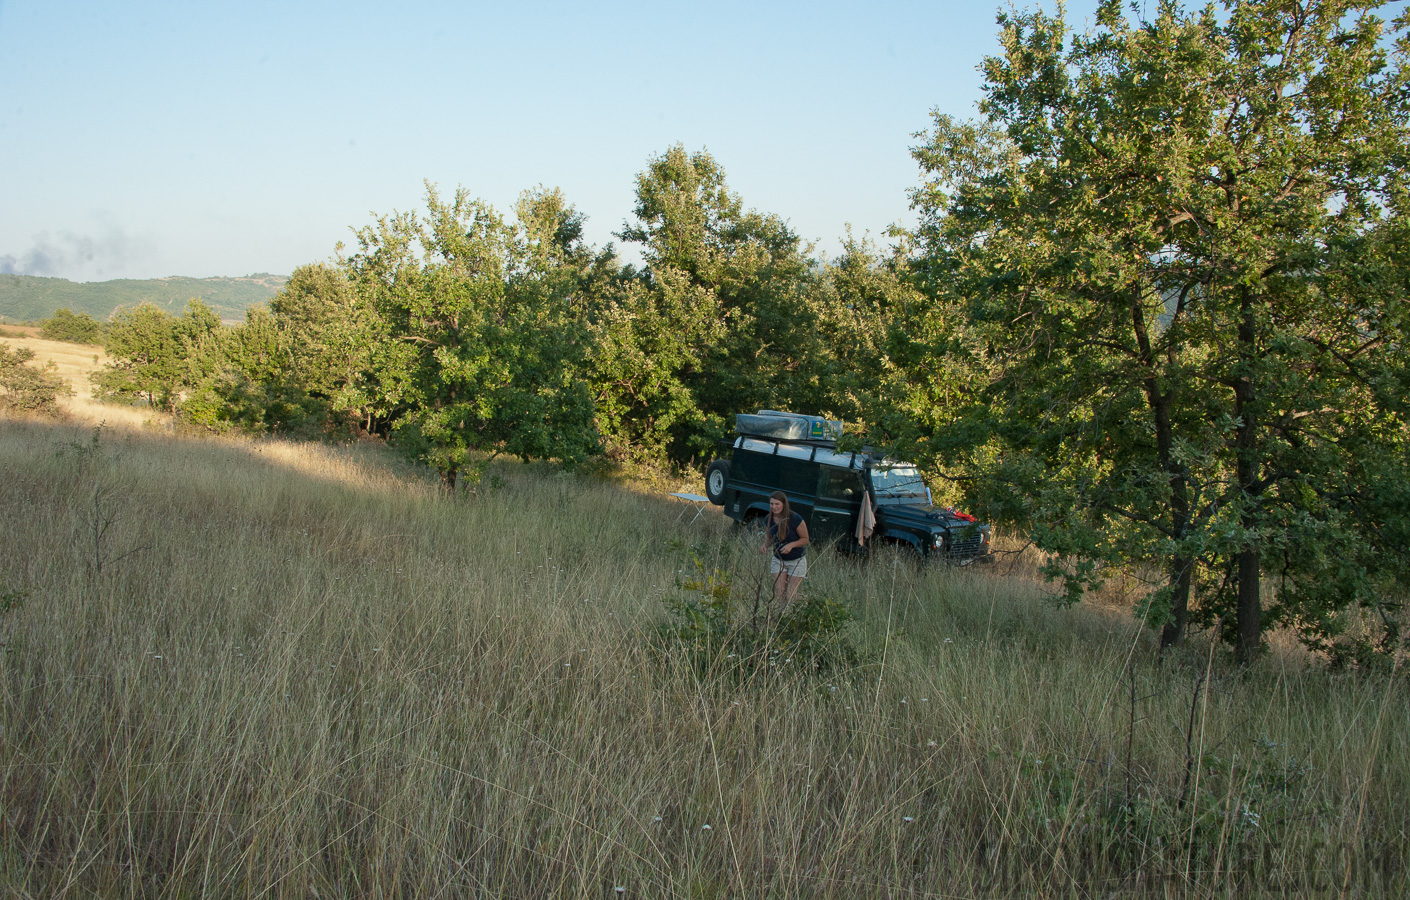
723 320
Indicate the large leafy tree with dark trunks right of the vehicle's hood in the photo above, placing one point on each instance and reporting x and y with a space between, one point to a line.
1144 266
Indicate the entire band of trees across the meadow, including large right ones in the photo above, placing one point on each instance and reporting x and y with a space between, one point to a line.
1154 317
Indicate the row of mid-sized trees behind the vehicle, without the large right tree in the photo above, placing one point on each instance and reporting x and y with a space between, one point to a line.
459 332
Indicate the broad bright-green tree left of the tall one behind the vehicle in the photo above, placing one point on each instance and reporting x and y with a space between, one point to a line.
479 352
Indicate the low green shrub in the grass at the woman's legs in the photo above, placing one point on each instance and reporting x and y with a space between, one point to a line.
723 631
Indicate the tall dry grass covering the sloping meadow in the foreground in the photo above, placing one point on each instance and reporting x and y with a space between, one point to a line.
263 669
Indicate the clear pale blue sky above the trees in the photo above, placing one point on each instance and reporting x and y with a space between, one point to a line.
150 139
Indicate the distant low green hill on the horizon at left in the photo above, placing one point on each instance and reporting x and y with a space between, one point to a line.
29 298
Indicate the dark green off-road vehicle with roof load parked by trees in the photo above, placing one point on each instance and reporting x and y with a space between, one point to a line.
799 455
